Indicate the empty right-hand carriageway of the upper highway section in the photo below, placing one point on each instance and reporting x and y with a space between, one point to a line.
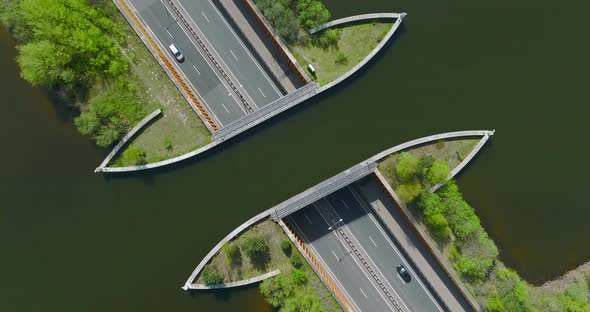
231 50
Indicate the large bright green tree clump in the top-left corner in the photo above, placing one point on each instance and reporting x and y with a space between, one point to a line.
70 41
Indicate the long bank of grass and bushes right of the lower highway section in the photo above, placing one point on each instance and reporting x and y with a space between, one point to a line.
460 238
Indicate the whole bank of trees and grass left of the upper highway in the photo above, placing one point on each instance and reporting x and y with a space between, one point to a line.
95 63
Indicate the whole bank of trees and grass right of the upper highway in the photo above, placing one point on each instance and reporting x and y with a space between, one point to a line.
333 51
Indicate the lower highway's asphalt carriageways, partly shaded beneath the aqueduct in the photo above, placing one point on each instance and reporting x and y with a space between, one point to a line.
375 245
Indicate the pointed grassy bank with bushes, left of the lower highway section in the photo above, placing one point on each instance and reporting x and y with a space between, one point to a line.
263 248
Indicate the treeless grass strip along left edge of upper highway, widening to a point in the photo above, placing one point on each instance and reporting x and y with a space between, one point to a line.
179 130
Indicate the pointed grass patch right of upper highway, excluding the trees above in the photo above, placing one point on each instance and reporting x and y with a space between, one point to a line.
354 42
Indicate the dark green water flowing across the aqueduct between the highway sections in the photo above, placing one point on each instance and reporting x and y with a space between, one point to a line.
77 241
